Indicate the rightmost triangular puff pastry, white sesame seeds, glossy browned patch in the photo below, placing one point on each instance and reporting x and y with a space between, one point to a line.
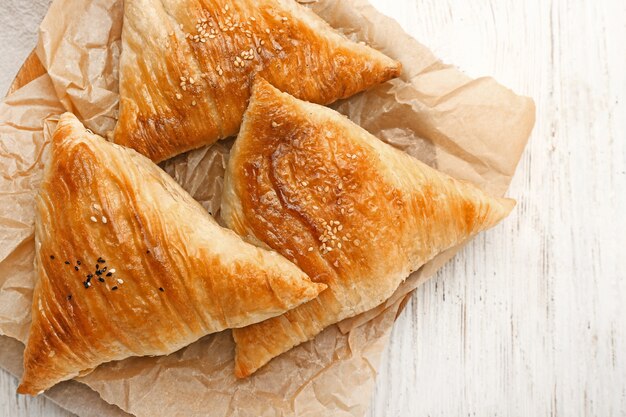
351 211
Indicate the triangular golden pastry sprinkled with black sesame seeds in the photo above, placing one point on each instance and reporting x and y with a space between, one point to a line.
129 264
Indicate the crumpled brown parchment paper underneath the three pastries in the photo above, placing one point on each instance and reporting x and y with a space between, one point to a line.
472 129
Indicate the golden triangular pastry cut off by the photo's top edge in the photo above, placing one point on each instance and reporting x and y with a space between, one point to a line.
187 66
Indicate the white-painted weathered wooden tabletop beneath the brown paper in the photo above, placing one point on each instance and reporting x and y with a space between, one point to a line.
530 319
